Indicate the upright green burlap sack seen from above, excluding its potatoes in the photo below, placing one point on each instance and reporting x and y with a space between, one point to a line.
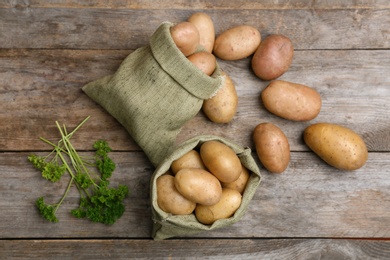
167 225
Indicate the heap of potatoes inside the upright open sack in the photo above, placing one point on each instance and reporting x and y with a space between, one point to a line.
208 182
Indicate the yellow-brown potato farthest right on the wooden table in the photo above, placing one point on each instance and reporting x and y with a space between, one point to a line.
339 146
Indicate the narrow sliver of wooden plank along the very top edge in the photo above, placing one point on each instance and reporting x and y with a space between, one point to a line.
202 4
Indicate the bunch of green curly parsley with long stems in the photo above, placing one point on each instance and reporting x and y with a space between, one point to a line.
98 201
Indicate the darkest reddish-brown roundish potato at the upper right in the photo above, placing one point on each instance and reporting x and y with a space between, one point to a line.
273 57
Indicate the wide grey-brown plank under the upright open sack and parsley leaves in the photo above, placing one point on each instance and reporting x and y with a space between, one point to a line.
310 199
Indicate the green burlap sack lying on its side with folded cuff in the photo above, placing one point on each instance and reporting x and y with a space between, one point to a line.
154 92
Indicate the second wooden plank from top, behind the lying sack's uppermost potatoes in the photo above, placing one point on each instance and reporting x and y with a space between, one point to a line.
91 28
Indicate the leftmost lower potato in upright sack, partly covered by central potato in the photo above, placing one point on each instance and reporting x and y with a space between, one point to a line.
169 199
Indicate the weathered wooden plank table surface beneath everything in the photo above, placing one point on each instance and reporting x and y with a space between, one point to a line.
50 49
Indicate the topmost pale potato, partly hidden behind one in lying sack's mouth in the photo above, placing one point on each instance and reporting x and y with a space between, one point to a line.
205 26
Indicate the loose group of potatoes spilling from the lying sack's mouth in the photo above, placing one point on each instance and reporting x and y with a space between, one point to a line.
337 145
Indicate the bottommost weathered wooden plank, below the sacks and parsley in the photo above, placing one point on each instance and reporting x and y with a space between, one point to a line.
195 249
